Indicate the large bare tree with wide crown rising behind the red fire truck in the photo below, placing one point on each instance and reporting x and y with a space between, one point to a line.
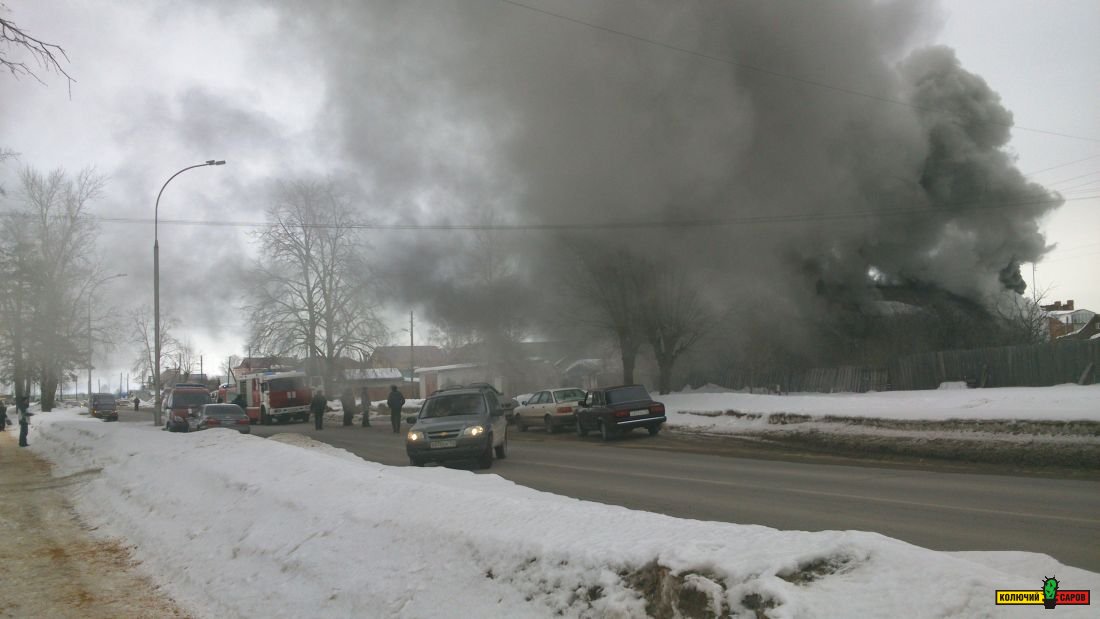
311 292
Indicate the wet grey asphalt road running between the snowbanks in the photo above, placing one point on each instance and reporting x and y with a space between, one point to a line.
937 510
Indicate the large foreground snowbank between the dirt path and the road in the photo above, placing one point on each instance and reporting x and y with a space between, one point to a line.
238 526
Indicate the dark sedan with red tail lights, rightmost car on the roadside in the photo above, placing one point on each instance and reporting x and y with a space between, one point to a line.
617 411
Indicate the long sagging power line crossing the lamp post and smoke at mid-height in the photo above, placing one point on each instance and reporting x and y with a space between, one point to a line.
950 209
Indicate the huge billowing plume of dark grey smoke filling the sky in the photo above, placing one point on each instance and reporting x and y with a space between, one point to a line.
481 110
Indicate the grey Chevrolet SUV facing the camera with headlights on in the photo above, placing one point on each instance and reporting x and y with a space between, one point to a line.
460 424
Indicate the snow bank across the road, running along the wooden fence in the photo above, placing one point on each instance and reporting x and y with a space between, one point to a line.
718 411
